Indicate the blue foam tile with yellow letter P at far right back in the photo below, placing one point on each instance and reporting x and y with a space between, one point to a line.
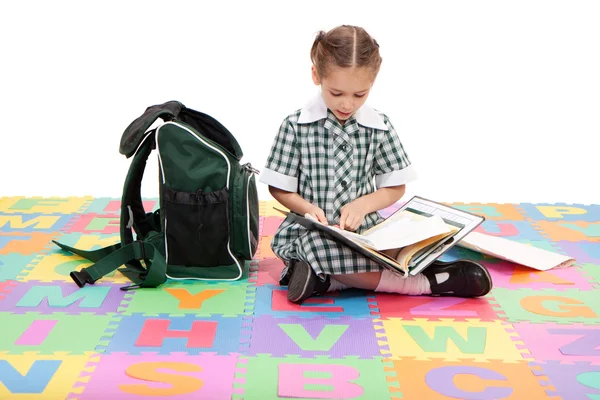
562 212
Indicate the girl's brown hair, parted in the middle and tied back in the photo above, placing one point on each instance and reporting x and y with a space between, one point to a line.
345 46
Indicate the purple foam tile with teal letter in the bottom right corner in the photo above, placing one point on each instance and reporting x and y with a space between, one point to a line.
577 381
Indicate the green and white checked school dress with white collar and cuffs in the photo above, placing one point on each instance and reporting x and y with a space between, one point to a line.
330 165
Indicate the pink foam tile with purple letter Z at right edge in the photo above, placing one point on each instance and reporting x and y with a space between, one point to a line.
567 343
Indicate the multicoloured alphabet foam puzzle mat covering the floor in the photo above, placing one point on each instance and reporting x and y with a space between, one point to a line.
536 335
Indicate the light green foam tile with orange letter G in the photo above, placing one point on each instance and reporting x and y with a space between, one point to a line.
565 306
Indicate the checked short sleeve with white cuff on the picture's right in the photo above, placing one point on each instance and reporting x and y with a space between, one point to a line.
392 165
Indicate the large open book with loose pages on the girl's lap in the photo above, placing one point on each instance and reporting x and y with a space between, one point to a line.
408 240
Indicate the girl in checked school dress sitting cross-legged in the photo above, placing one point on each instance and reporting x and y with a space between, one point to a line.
341 161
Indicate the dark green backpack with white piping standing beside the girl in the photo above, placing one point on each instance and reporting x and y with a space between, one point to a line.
206 225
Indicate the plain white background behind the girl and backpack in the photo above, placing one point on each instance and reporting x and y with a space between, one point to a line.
495 101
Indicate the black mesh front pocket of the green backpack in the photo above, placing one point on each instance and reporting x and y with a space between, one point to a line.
197 227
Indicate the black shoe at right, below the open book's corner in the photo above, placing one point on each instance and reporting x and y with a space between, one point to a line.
467 278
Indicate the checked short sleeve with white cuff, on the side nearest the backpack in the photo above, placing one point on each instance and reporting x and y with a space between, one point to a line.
281 169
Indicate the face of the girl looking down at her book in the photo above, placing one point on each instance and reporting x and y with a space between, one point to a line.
345 90
